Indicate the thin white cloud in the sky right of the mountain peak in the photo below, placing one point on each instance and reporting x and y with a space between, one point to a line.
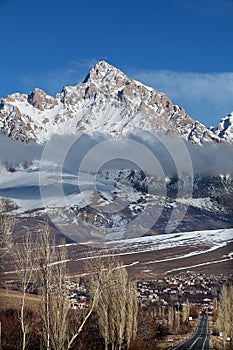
205 96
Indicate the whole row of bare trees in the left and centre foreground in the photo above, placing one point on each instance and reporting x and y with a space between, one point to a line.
112 297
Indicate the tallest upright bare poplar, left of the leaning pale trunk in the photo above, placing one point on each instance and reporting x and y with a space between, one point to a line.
52 278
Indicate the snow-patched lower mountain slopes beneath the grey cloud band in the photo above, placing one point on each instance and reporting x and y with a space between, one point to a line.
118 205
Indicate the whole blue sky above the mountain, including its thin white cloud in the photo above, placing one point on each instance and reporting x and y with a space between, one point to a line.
181 47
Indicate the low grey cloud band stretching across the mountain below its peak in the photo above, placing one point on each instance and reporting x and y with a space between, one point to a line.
154 154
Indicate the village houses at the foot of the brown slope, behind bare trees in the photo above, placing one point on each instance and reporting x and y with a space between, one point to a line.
198 288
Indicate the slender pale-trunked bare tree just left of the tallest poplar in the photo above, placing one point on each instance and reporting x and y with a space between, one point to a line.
25 264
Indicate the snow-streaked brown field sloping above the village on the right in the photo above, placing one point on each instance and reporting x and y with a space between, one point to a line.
171 252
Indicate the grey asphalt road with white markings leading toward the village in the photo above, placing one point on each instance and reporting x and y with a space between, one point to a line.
200 338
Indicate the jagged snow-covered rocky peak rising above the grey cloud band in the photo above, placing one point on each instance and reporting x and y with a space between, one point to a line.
107 101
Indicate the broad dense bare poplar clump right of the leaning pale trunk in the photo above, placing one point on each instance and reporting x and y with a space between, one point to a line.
116 307
